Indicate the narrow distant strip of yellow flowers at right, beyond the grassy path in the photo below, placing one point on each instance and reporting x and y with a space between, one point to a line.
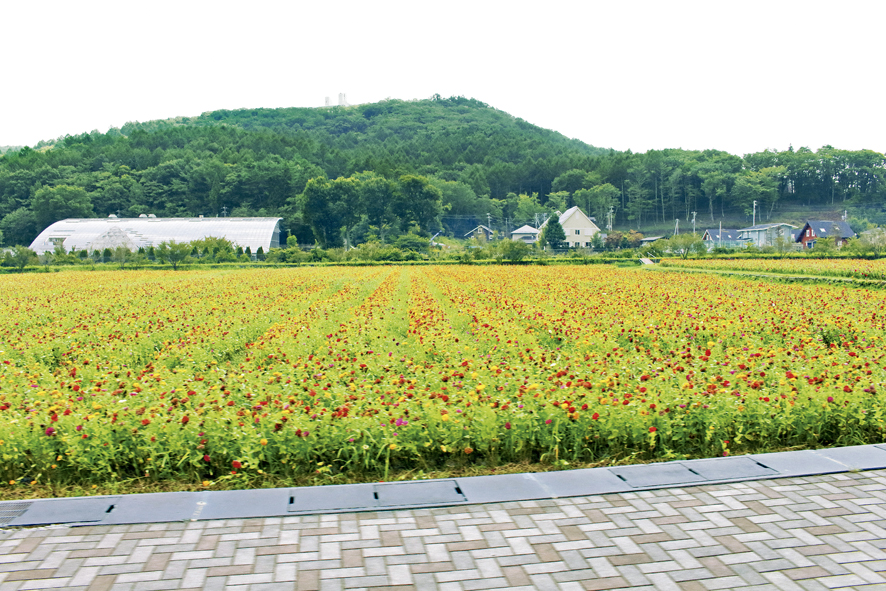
852 268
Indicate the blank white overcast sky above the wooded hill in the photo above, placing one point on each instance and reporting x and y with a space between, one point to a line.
735 76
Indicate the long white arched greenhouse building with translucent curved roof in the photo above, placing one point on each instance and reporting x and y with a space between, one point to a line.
100 233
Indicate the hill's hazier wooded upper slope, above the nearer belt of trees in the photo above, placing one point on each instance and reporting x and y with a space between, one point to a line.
457 139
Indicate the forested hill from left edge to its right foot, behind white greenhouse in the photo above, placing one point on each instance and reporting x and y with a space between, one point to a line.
258 162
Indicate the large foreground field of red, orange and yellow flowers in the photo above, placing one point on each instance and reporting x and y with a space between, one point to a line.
213 376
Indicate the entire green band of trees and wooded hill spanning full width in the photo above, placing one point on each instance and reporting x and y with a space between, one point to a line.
350 174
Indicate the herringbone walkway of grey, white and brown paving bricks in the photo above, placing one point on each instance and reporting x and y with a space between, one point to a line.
821 532
